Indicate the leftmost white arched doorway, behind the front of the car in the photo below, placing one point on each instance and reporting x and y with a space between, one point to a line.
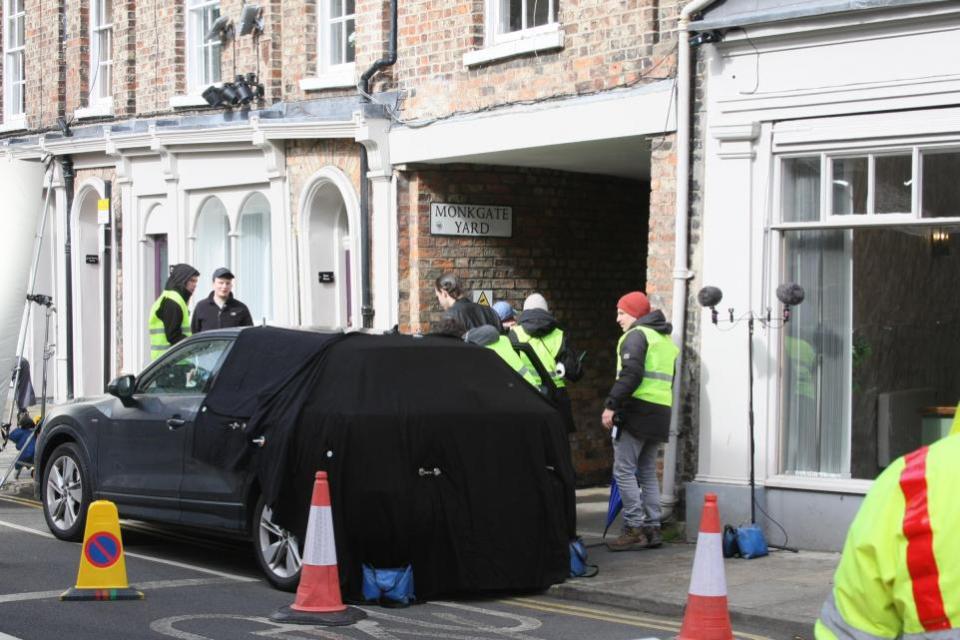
88 295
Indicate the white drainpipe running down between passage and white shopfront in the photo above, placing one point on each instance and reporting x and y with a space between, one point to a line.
681 273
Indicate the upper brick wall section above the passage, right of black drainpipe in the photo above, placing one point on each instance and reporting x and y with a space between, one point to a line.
607 44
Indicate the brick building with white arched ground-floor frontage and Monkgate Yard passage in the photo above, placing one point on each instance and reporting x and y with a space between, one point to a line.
318 197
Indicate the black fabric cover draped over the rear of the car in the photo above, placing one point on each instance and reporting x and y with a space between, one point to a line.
438 454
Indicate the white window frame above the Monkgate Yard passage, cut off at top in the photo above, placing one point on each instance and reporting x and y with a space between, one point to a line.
500 45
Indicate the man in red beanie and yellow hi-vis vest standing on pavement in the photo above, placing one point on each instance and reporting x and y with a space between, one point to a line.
637 414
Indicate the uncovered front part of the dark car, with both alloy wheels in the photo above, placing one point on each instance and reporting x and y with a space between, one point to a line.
134 447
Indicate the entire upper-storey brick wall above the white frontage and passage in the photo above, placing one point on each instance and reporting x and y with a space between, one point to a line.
608 44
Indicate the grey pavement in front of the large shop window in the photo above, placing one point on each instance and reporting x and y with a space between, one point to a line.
783 591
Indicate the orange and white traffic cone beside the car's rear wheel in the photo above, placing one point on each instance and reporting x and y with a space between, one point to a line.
318 598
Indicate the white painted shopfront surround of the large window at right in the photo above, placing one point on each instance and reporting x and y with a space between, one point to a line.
818 69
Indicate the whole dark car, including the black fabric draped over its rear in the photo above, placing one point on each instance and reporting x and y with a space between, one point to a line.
438 454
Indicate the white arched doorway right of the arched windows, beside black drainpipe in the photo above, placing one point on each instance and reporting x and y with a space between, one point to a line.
329 246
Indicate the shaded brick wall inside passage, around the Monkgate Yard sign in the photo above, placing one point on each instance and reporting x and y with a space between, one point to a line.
578 239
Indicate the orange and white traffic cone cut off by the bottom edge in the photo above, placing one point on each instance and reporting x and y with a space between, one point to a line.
706 616
